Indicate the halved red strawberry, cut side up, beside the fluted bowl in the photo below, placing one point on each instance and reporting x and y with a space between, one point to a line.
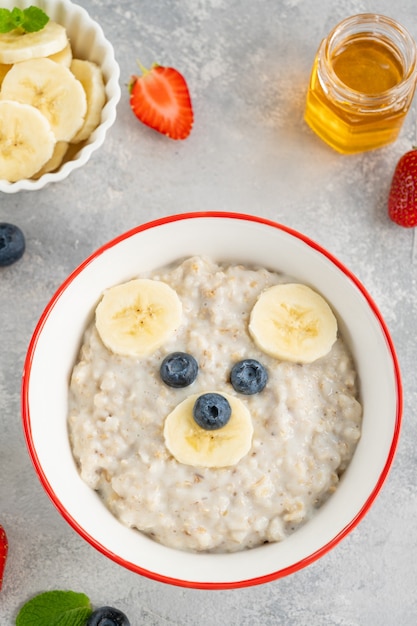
161 100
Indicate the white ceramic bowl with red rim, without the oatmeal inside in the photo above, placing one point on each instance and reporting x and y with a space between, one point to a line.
225 237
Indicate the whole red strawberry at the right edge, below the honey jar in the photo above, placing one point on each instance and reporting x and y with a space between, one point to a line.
402 201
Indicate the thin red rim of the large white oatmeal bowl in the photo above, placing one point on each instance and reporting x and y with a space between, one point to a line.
132 566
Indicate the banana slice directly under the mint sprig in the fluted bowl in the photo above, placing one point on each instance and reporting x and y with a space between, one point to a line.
16 45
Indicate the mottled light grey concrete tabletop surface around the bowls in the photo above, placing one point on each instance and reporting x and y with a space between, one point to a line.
247 64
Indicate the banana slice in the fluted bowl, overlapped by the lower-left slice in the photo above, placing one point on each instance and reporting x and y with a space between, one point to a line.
51 88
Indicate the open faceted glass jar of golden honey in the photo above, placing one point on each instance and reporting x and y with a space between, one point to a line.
362 83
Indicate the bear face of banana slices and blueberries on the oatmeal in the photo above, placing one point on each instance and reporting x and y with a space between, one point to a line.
213 428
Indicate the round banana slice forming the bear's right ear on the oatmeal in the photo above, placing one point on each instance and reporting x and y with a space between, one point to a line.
293 323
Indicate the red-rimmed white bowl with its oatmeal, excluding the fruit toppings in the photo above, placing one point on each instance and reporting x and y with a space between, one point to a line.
322 438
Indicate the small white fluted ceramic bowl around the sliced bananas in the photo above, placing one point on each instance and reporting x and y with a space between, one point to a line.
88 42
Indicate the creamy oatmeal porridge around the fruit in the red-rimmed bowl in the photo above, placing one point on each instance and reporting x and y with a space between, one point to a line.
301 428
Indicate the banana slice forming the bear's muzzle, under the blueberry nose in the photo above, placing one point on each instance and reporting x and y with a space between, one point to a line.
192 445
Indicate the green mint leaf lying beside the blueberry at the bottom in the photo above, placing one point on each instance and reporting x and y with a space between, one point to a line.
55 608
